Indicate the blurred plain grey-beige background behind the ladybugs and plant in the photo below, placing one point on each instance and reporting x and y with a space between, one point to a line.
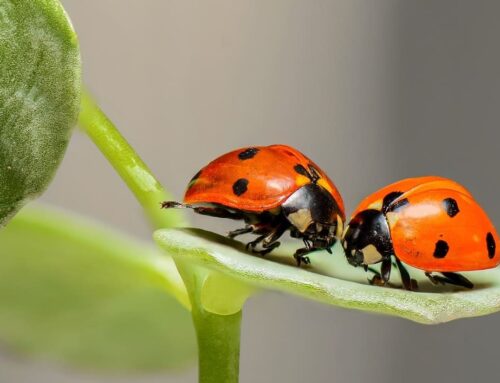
373 91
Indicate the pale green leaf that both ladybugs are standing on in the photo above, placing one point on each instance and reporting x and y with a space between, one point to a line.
330 280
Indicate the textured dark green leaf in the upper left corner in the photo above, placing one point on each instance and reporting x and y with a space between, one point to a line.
39 97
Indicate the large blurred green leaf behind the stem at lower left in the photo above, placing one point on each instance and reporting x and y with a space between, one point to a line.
73 292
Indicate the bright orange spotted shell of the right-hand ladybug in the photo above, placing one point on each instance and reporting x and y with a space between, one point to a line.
436 225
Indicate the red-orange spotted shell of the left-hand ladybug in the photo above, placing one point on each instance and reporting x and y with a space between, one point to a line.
266 173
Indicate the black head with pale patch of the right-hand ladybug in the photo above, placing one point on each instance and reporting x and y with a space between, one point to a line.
367 239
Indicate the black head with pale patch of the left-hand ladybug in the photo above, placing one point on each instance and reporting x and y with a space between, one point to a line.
314 215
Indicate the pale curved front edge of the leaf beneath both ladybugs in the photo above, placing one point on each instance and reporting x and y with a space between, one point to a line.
228 257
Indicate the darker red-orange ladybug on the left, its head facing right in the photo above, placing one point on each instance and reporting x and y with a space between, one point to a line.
272 189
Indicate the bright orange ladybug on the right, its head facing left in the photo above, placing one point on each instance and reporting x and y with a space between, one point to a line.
431 223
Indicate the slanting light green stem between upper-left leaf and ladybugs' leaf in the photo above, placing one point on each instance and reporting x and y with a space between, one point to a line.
138 177
